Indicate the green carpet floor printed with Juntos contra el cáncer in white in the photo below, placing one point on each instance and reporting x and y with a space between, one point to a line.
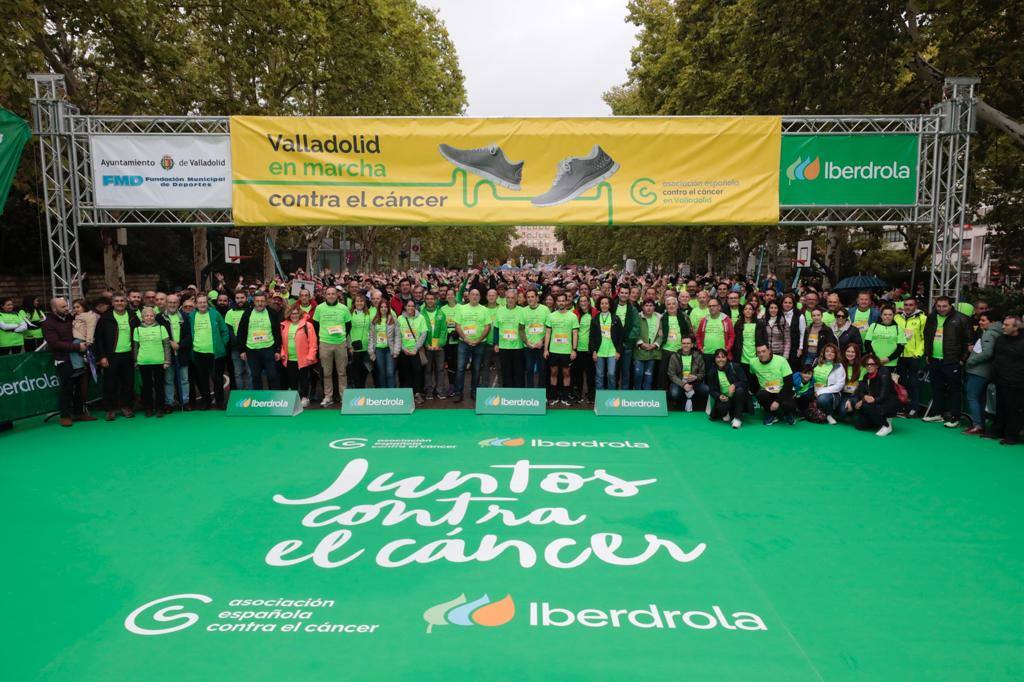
866 559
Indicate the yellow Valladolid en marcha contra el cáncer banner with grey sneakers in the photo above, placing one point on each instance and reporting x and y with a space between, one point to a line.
298 172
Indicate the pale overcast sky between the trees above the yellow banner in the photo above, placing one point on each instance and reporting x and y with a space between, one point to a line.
539 58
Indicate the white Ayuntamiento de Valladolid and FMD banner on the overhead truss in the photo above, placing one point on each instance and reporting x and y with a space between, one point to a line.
162 172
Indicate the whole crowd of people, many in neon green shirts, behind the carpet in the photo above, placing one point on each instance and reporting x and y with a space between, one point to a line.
732 349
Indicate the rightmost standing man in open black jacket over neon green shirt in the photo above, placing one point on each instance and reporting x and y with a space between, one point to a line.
948 343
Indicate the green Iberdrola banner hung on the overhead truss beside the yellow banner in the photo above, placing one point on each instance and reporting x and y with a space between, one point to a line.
849 170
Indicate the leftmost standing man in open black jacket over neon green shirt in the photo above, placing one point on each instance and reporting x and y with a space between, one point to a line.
113 352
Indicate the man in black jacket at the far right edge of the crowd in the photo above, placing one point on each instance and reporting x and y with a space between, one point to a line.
1008 370
